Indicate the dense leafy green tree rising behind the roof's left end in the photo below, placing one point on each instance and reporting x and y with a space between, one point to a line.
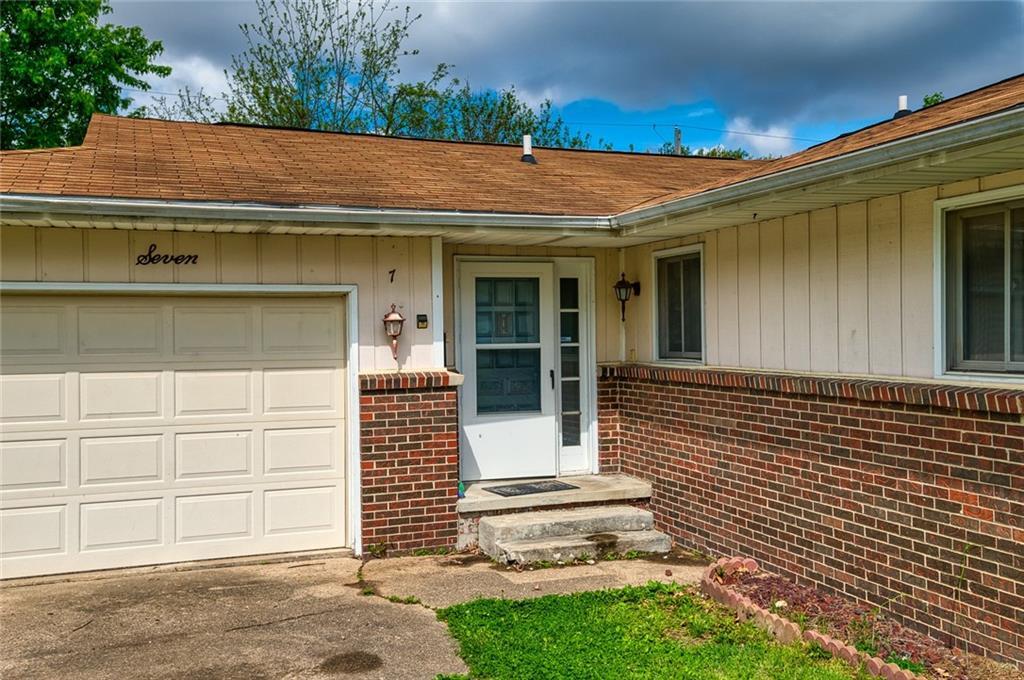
61 65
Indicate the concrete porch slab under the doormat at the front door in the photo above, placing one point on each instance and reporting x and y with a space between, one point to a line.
592 489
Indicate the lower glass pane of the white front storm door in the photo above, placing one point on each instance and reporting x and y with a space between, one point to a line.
508 381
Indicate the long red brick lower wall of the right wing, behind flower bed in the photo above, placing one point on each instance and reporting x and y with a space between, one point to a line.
876 491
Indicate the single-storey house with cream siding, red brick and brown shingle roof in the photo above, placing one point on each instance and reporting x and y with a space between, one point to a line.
815 361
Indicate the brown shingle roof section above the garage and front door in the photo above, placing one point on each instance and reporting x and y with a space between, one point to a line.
150 159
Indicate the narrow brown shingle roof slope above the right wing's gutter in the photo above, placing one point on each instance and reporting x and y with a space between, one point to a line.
977 104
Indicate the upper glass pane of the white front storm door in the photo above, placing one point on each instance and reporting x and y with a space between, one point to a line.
508 311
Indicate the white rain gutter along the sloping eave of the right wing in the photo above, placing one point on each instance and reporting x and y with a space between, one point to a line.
988 130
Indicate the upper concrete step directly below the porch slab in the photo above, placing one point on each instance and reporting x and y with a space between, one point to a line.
547 524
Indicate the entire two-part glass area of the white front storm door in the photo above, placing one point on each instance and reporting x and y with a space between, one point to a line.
508 354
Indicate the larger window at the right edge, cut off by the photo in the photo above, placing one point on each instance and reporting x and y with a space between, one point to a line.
986 288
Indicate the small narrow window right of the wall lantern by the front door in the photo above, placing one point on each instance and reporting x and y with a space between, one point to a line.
680 313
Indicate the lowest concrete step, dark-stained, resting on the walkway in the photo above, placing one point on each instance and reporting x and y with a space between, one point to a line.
569 548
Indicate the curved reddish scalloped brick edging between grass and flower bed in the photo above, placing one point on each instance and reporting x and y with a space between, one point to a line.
783 629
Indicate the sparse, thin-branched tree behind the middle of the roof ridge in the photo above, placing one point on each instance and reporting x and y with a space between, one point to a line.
326 65
